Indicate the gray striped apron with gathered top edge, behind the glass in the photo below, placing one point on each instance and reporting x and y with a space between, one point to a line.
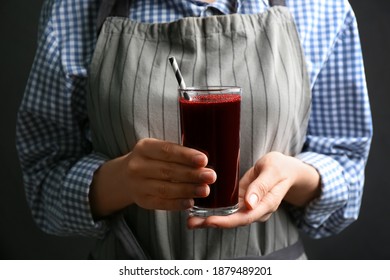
132 94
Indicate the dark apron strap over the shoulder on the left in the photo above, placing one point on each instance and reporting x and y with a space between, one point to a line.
119 8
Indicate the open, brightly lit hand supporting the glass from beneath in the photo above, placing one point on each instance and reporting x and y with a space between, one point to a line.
274 177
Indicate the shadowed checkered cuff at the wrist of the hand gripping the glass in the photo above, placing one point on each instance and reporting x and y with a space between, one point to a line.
78 215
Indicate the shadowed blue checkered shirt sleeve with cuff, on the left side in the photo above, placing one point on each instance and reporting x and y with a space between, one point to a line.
52 127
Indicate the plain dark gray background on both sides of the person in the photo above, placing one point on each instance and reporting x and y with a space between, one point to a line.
368 238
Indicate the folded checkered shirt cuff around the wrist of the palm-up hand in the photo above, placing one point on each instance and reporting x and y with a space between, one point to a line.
333 197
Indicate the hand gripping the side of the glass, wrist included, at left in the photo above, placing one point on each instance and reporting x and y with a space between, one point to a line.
155 175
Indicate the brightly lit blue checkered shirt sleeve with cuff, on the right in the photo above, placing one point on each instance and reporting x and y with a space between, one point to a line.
340 126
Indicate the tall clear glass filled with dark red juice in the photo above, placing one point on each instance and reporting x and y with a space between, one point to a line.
210 122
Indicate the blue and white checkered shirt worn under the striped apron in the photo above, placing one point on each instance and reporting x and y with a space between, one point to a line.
53 134
